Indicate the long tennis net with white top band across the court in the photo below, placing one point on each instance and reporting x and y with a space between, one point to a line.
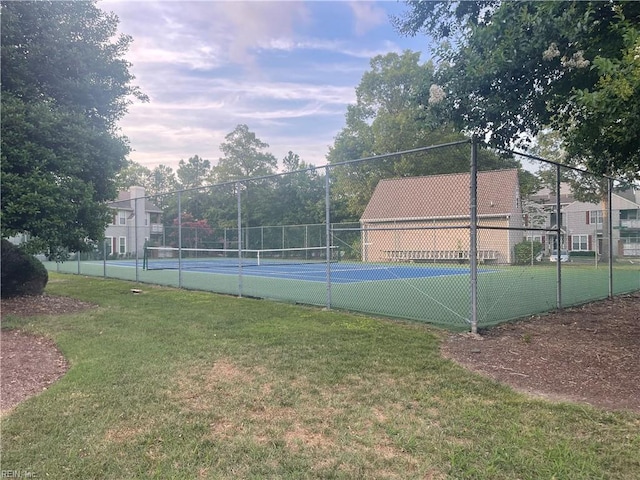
160 258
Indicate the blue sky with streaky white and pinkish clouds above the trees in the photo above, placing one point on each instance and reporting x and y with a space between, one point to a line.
286 69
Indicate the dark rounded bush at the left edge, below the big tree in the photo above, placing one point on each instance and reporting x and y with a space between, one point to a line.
22 274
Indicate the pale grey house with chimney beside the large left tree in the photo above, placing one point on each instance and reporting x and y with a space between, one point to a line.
135 221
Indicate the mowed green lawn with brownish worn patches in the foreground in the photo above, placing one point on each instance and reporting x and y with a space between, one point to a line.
182 384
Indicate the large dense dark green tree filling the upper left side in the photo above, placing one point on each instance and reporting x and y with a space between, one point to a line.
65 84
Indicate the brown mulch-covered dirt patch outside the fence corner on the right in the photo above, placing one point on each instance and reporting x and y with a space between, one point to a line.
585 354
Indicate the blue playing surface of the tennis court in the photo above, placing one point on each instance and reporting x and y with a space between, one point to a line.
341 272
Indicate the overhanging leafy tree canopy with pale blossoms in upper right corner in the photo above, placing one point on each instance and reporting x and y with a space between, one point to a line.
510 69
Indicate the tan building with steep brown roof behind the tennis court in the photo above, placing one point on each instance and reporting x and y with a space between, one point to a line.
427 219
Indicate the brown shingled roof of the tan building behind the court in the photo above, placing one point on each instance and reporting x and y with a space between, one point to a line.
442 196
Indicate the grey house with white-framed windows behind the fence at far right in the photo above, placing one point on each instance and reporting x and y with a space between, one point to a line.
582 227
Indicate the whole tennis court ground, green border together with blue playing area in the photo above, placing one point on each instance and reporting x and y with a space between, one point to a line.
437 294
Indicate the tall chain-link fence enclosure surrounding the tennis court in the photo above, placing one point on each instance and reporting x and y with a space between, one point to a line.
455 235
